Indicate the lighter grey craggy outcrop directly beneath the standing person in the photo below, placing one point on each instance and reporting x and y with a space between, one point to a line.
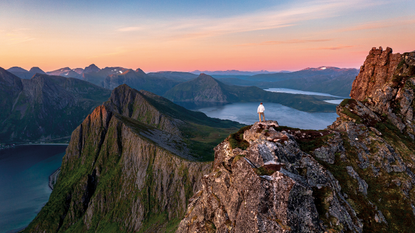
258 183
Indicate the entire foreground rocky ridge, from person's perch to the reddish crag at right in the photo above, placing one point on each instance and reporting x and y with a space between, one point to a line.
355 176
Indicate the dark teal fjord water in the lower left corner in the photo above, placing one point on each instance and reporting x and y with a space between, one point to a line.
24 176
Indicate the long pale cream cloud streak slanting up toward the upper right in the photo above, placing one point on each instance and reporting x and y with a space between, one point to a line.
273 18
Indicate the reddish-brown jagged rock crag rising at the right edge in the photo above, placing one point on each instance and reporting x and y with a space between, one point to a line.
385 86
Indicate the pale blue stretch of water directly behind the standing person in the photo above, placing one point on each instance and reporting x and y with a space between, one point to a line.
246 113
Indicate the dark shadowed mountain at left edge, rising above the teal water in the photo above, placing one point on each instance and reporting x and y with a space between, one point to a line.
44 107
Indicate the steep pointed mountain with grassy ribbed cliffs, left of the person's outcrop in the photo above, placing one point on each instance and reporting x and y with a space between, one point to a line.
130 166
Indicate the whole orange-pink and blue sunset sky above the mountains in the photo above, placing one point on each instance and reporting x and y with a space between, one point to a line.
205 35
